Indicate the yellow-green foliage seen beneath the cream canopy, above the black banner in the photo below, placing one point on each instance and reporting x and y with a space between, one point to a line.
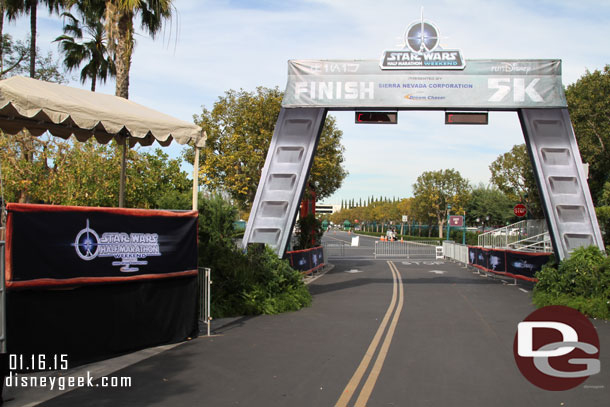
71 173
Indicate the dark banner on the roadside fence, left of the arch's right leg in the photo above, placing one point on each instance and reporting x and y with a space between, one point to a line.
522 265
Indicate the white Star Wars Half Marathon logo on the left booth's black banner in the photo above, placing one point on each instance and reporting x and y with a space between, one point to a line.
128 249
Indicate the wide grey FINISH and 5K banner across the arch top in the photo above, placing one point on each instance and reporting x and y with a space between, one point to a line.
482 84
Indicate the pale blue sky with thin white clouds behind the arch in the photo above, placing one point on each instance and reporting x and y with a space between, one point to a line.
210 47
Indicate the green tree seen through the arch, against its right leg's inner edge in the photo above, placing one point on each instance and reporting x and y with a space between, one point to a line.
512 173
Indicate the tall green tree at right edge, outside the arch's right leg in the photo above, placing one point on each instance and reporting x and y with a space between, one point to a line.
589 108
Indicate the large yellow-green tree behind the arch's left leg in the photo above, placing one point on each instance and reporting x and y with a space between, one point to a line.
239 129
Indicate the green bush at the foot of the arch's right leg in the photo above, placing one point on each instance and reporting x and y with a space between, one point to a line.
581 282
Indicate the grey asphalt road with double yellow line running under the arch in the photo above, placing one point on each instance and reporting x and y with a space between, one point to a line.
379 333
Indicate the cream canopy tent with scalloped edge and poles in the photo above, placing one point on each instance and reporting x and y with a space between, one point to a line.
40 106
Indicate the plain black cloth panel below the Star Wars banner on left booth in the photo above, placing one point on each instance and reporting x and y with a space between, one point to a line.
98 321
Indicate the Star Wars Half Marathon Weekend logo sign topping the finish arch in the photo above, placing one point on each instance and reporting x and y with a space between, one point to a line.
421 51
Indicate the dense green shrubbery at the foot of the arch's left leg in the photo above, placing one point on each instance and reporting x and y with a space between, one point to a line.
251 283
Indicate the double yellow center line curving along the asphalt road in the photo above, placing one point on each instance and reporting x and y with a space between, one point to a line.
369 384
